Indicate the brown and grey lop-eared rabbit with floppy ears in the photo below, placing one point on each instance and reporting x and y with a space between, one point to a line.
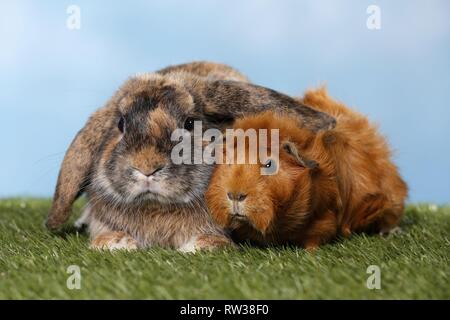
137 197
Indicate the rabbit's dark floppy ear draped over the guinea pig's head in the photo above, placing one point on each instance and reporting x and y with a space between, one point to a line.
223 101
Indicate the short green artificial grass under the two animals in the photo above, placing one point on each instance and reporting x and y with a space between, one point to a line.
414 264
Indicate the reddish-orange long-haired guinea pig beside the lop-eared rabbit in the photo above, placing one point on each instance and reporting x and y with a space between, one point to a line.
328 184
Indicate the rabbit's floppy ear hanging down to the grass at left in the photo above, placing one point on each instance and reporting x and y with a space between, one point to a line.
76 166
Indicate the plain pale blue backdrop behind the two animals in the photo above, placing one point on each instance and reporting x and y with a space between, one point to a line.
52 78
